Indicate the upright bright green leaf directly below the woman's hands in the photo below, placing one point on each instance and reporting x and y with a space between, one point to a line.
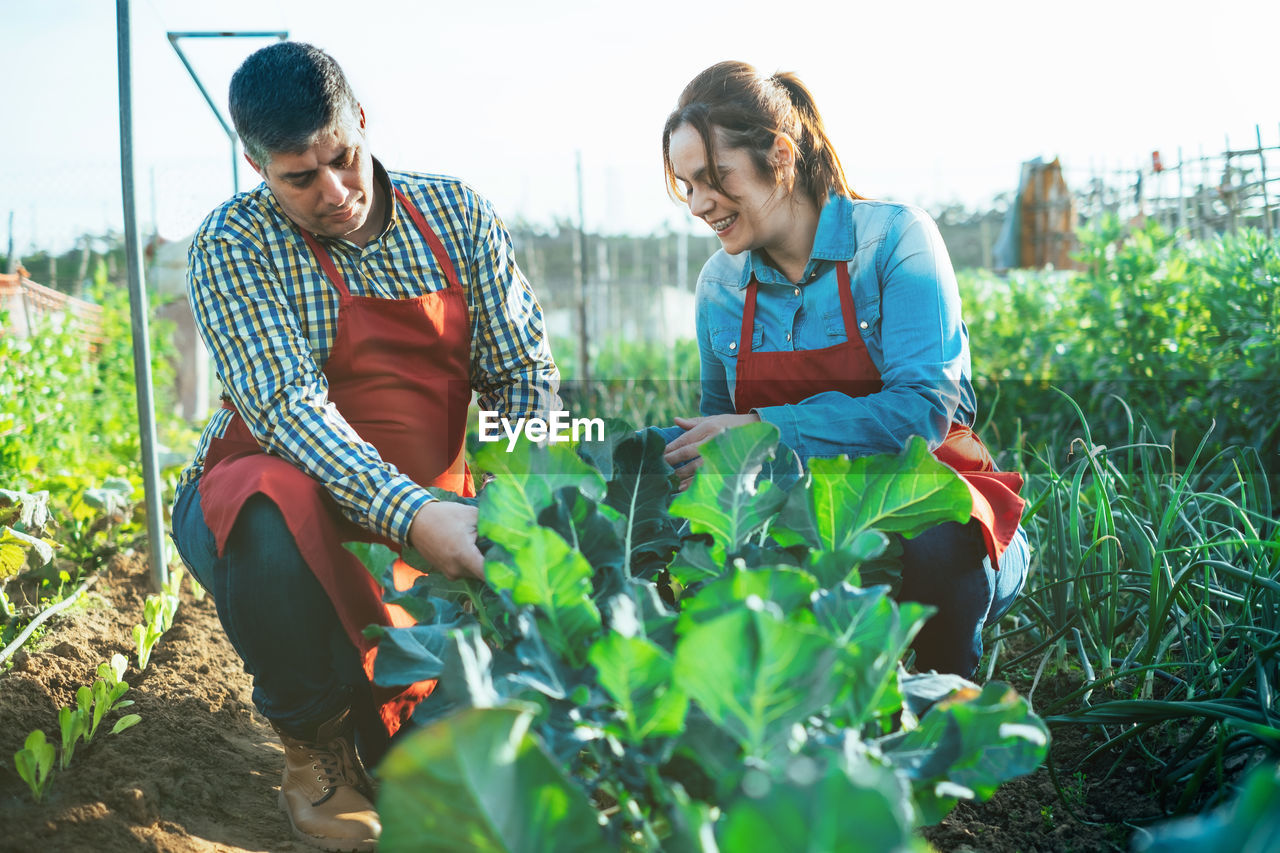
729 499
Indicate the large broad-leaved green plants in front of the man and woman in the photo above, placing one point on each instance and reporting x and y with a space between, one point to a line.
652 670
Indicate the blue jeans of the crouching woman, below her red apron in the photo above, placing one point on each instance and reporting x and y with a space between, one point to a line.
948 568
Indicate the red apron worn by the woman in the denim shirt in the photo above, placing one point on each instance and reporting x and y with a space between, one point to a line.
788 377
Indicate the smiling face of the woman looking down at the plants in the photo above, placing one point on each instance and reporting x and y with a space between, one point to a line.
753 213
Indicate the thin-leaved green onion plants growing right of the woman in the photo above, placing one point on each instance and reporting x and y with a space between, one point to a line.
1165 580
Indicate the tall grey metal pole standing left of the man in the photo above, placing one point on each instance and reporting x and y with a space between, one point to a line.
139 308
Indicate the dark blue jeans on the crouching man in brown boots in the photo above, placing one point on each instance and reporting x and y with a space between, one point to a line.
280 621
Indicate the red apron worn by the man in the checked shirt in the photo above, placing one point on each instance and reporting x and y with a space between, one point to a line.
400 375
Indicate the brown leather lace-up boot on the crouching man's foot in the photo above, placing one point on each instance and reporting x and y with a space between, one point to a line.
326 791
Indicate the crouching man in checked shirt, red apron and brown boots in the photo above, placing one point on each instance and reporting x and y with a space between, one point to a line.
350 312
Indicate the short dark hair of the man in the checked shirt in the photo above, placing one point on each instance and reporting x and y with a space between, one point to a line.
285 95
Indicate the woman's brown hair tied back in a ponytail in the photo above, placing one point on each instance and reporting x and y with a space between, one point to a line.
752 111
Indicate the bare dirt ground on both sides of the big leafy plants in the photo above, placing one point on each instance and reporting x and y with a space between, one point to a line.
202 770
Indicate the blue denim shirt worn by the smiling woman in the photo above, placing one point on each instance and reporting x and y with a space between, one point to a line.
908 313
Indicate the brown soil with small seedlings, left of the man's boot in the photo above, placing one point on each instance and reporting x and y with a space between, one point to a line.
200 773
